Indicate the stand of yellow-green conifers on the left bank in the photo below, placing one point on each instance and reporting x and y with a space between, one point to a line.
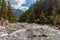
6 12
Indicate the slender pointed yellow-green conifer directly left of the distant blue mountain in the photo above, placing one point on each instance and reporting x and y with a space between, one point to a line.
10 14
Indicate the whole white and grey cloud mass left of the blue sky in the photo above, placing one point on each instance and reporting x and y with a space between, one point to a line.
17 4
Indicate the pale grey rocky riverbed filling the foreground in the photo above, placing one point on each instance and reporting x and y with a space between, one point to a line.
25 31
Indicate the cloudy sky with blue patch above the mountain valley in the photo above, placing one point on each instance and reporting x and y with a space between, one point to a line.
21 4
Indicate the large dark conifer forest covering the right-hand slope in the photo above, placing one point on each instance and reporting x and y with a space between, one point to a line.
43 11
